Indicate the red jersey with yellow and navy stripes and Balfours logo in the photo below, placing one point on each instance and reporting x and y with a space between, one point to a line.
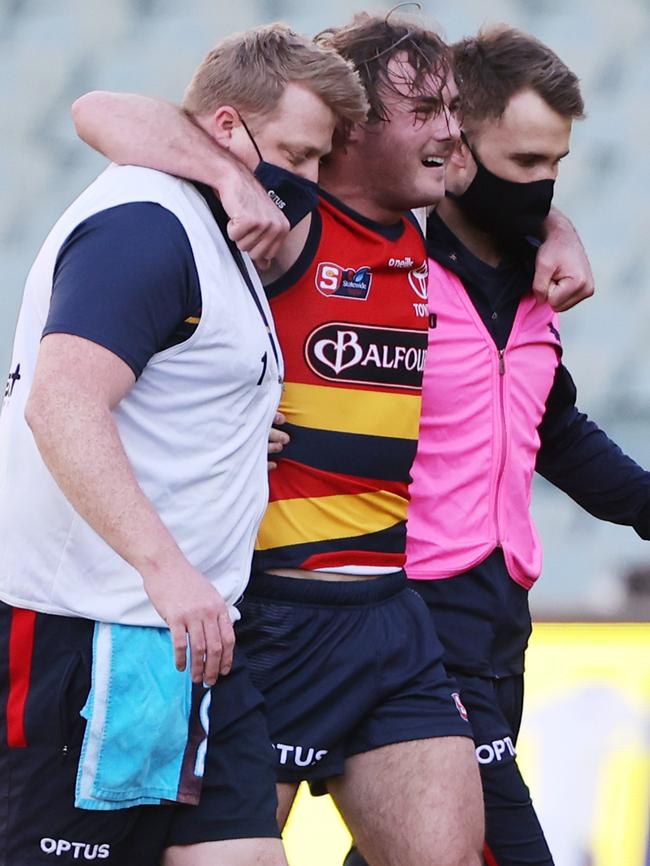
352 320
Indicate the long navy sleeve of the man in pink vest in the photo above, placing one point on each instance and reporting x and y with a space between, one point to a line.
579 458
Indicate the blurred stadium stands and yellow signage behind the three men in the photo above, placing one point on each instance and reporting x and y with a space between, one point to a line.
586 729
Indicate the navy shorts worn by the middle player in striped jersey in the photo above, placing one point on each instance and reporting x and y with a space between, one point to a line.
345 667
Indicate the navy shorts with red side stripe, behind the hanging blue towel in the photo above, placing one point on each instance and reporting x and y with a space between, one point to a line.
44 681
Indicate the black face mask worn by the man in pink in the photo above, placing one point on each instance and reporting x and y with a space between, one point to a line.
505 208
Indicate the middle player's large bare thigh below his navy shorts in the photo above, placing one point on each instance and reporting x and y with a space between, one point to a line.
416 803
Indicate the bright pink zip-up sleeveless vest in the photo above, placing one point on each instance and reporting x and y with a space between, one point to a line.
478 444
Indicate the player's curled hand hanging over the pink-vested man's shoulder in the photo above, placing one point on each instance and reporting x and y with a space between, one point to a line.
563 274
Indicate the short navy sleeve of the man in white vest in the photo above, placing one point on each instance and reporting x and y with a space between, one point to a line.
126 279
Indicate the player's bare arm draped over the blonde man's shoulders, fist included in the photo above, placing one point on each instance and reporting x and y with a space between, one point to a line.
137 130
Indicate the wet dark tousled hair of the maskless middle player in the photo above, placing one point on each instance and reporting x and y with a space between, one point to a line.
370 42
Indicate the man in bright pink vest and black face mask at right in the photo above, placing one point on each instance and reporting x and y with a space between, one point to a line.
497 405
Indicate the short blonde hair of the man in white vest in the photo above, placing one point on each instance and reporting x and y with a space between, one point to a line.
251 70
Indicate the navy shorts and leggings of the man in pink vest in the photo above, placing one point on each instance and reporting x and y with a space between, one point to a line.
483 620
